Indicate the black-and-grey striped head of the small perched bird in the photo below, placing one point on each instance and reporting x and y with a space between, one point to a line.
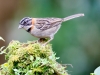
25 23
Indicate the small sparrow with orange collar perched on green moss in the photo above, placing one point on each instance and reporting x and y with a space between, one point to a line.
44 27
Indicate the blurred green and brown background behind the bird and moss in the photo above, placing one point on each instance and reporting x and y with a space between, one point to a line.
76 43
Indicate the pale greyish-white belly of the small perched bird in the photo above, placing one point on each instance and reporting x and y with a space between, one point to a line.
45 33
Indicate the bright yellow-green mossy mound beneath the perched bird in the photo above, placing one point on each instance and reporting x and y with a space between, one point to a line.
30 59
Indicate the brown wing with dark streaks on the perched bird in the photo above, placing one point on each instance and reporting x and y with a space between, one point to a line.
47 23
